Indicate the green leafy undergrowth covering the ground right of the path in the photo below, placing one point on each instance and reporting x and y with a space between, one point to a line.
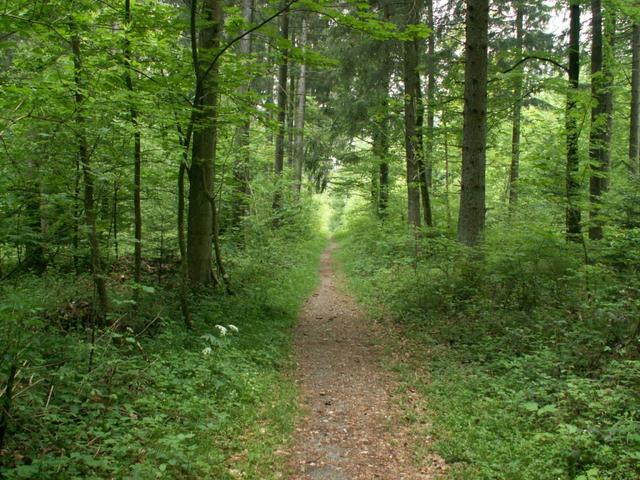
532 357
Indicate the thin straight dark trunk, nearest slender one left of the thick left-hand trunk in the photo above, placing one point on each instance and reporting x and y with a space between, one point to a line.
137 154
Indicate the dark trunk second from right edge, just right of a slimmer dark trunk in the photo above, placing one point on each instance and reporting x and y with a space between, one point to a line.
601 117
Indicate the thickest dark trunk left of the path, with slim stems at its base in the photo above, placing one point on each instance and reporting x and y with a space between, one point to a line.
201 216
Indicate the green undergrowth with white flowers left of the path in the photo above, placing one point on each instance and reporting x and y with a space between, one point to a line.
154 400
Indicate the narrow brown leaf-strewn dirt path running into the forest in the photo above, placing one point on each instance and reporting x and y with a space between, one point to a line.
350 428
